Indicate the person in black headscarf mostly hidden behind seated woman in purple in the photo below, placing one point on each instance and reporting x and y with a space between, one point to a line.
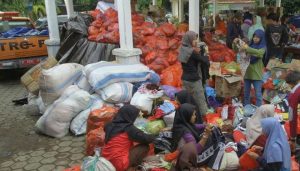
185 97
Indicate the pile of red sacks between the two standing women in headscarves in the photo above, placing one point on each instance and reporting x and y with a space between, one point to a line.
218 52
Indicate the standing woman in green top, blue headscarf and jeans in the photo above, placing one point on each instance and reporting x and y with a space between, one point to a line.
254 72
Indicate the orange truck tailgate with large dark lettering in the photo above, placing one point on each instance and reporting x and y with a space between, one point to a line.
22 47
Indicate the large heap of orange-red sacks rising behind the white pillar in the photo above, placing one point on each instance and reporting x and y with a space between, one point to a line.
160 45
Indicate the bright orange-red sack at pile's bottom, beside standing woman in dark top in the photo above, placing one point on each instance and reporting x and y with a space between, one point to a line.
172 75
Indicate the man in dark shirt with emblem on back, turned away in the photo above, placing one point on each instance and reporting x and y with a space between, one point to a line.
276 38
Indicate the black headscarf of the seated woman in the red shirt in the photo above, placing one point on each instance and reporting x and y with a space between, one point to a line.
122 122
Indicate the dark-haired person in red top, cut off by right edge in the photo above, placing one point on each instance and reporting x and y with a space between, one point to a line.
293 79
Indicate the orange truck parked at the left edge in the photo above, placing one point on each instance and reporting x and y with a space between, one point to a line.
19 52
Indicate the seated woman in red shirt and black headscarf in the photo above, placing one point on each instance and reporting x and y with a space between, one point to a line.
119 137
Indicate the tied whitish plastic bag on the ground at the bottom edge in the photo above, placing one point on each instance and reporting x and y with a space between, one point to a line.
96 163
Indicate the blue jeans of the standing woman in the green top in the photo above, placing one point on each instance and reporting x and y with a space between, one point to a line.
258 91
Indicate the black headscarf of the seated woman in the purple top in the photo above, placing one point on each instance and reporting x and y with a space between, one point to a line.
182 124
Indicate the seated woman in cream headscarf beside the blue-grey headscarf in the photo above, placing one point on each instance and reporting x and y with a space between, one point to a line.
253 125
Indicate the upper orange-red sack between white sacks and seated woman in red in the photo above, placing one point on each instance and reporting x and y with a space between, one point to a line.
99 117
